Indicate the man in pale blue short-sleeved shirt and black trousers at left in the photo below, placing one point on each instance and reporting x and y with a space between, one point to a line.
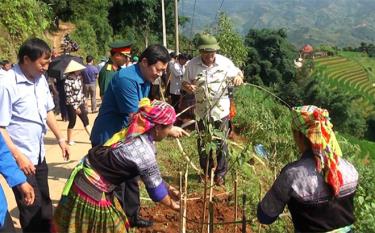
26 108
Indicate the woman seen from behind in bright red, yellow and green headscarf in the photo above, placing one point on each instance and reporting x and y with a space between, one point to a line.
318 188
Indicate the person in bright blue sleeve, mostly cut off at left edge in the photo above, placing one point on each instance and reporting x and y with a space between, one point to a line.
15 179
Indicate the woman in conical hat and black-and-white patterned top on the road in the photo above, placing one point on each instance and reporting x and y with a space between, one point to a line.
75 99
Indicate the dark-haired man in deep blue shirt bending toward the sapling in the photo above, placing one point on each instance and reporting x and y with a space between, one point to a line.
121 98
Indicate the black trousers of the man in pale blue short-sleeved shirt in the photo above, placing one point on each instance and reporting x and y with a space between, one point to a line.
37 217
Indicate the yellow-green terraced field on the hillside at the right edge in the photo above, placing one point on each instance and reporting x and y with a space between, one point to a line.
350 76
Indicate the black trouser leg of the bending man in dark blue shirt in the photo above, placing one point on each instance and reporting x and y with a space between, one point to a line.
128 194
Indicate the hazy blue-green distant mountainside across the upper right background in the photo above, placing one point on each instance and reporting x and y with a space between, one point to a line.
335 22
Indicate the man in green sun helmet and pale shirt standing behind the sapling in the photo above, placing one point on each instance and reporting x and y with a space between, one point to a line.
207 76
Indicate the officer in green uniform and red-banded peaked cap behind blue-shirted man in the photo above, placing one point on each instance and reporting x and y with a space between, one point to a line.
119 51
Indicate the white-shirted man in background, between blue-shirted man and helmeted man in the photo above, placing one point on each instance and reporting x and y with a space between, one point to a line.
177 70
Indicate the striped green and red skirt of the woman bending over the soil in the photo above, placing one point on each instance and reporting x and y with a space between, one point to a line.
85 209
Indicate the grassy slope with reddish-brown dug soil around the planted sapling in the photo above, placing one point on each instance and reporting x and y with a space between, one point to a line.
259 121
